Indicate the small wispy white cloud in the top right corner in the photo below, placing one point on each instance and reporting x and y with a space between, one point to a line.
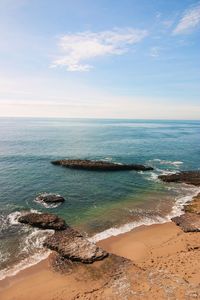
189 21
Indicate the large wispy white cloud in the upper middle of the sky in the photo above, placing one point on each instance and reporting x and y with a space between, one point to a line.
77 49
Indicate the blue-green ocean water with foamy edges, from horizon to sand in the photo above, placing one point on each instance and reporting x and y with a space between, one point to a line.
100 204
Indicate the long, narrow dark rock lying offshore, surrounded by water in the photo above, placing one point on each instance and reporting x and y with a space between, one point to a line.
99 165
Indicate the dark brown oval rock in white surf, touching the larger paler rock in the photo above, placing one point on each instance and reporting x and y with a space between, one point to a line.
43 221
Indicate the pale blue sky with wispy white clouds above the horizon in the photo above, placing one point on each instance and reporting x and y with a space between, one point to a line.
100 59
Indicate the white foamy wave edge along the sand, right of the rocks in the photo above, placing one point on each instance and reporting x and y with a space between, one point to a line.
177 210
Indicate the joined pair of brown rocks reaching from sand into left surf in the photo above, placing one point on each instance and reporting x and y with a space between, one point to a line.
67 242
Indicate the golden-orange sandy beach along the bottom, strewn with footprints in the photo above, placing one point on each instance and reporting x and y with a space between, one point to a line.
150 261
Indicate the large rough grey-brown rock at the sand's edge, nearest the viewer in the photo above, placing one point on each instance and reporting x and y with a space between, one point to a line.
72 245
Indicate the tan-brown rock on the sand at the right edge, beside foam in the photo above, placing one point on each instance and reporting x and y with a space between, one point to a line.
189 222
